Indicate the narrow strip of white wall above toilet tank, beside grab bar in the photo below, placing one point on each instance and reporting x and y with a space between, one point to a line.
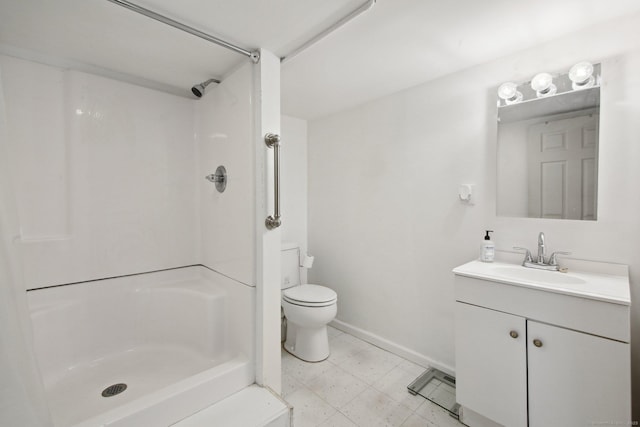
294 183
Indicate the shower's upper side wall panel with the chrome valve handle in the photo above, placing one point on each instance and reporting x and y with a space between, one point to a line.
224 137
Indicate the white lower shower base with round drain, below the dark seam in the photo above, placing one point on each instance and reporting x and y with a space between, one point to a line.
177 338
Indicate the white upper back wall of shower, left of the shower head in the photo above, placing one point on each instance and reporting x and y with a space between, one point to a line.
103 173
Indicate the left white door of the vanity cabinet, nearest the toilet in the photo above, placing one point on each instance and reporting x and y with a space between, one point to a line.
491 366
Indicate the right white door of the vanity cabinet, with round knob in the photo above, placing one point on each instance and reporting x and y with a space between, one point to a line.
576 379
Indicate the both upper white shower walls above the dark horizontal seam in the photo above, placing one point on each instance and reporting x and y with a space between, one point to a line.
109 176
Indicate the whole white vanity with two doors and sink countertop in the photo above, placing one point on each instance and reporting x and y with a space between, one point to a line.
542 351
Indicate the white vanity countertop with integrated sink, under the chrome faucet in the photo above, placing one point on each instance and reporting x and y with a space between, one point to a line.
613 288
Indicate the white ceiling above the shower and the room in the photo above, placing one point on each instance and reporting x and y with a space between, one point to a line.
394 45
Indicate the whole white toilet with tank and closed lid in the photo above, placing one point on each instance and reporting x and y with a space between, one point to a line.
307 308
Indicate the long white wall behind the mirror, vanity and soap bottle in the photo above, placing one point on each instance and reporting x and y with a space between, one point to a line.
384 217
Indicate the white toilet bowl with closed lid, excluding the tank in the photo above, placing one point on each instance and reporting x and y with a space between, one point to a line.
308 309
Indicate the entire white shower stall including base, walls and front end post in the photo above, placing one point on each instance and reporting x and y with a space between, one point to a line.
132 291
